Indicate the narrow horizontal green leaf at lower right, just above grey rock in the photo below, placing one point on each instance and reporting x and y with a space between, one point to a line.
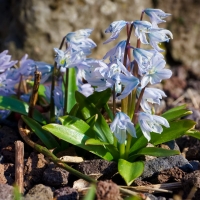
154 151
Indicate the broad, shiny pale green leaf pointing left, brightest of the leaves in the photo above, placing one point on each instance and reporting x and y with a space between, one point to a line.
77 137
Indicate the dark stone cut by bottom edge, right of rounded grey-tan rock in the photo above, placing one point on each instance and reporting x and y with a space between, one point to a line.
66 193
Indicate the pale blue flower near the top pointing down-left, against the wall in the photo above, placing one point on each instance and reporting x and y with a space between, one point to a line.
115 28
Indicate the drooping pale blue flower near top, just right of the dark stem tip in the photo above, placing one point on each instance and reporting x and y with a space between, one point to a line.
141 28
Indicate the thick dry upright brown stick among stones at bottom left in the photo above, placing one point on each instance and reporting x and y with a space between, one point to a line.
19 165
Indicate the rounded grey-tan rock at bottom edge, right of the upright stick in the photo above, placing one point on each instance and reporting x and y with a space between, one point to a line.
39 192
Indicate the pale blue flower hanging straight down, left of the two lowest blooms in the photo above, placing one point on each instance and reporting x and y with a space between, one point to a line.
122 125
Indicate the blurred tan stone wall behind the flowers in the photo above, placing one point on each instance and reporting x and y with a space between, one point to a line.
35 27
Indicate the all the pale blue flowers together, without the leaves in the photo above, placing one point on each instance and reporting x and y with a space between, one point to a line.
116 70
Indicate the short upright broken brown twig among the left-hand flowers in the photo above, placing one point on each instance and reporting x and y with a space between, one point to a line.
34 94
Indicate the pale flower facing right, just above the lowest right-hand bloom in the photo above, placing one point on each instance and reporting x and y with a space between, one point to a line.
151 95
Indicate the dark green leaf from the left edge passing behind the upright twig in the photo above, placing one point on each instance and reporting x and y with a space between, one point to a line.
15 105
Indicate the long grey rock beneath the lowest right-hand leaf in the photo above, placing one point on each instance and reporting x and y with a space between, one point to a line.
158 164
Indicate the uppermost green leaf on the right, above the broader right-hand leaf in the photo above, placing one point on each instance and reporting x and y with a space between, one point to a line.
176 113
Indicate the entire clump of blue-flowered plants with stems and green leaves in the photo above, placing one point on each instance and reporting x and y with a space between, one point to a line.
76 101
